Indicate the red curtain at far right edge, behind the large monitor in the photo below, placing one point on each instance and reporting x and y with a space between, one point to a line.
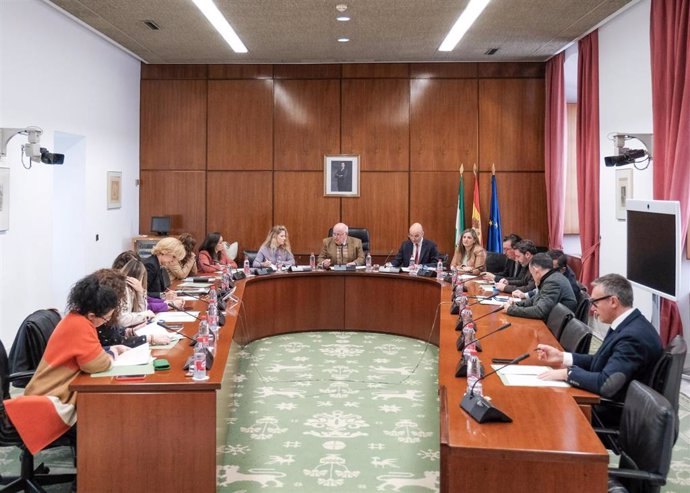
670 57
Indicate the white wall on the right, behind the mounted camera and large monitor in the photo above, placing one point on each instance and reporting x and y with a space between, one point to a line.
625 93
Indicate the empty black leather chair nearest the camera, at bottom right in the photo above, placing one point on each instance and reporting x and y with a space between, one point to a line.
646 439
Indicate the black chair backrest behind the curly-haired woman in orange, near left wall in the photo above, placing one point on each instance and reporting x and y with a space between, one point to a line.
31 340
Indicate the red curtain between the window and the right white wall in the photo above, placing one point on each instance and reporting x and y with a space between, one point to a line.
588 154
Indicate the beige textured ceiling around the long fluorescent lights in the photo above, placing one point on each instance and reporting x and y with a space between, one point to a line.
306 31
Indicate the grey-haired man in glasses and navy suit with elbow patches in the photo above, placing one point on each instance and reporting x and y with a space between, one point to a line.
629 352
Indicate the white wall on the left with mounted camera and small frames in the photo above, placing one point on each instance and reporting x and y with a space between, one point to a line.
84 93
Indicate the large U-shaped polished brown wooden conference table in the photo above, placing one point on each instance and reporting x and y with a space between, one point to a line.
159 434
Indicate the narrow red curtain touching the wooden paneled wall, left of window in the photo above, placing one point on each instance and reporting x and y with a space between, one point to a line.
555 149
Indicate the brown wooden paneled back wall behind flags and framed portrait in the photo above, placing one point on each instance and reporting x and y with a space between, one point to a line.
238 148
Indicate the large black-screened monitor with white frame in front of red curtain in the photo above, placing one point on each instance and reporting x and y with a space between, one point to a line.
654 247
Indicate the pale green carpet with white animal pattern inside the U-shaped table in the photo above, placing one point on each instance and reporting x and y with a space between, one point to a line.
331 411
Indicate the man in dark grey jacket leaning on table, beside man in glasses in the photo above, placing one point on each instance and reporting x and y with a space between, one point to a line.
554 288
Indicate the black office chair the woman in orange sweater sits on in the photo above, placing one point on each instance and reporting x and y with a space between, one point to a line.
30 479
